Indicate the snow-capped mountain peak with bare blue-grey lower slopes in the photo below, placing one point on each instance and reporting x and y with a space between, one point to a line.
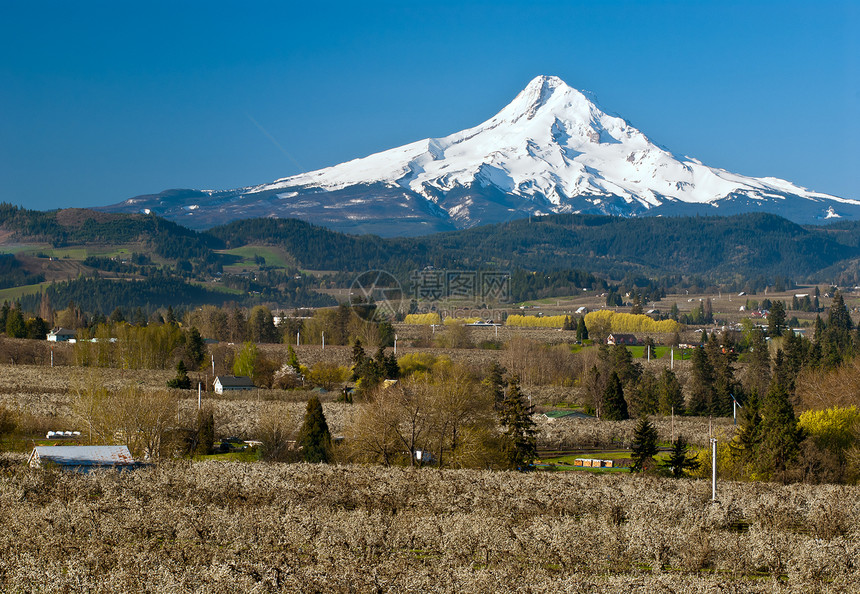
551 150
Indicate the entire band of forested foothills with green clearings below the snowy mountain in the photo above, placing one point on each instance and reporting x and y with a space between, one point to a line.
546 256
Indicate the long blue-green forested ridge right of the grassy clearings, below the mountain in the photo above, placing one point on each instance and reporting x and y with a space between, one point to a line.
757 246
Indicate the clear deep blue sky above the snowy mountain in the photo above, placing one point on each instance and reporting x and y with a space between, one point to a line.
102 101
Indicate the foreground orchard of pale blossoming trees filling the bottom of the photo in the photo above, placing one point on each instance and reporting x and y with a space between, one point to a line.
232 527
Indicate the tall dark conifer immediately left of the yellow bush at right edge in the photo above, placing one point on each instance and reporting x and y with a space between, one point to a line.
780 435
